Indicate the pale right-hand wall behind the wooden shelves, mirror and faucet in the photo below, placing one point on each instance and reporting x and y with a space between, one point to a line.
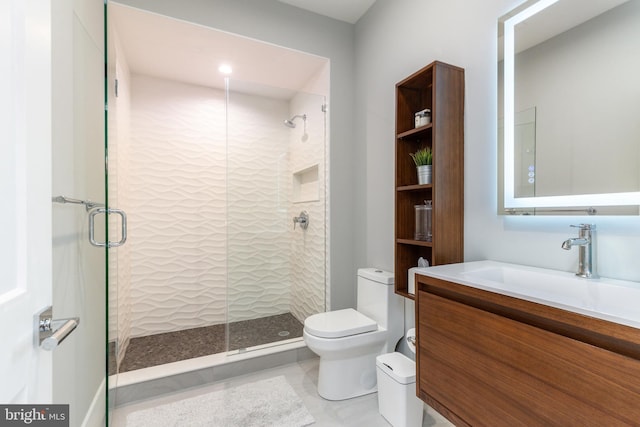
396 38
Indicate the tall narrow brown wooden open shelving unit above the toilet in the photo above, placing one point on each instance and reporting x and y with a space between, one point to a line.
439 87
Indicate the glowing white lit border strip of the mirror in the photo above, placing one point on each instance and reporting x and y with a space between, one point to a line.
510 201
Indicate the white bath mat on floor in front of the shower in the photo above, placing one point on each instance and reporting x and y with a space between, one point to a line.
270 402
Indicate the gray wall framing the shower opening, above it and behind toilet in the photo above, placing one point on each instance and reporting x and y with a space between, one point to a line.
278 23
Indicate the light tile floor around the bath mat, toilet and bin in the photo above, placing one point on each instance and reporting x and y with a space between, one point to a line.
302 376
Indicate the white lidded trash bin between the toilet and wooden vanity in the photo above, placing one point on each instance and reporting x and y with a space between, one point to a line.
397 400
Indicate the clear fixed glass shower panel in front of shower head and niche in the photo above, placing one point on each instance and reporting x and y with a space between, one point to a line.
275 273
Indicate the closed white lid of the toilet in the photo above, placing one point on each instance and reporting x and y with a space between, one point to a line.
339 323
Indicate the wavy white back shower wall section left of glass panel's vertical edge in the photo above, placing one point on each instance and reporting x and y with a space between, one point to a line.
178 206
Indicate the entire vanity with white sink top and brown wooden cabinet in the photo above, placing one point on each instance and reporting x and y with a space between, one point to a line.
507 345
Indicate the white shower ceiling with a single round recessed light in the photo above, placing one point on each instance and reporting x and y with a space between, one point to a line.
167 48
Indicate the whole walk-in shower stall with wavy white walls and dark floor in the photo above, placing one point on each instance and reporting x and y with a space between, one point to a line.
212 181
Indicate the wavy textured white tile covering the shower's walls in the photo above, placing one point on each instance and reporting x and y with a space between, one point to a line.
210 227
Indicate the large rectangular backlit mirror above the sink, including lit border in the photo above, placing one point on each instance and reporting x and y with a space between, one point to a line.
569 108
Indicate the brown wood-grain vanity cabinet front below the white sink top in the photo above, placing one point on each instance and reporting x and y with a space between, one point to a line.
485 359
